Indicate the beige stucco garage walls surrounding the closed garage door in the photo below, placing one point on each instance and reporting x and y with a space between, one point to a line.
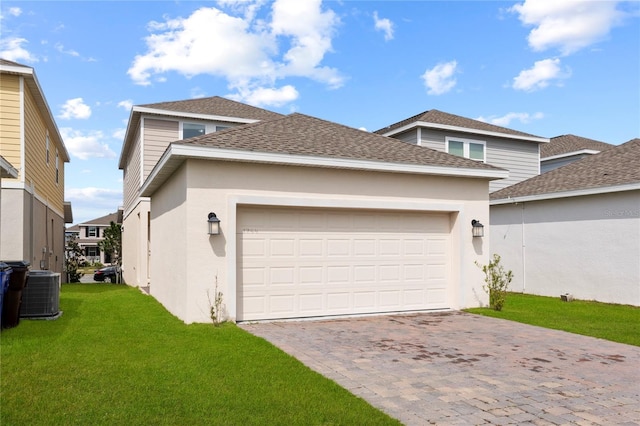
185 261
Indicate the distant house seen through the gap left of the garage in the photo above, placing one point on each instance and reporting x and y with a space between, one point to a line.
90 233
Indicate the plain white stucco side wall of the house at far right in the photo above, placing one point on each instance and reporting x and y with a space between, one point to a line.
588 246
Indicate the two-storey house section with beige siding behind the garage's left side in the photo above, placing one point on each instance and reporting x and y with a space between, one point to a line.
150 130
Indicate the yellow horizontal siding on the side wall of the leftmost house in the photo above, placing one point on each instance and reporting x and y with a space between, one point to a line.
37 170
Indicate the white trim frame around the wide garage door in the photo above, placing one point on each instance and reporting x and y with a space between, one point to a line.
297 202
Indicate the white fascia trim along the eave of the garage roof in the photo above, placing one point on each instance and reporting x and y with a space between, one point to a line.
182 152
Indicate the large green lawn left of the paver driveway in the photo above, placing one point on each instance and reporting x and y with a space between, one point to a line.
117 357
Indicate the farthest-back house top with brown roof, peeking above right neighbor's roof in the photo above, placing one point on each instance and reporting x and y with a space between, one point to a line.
565 149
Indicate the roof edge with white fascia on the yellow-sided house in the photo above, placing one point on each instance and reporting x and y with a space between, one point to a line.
31 81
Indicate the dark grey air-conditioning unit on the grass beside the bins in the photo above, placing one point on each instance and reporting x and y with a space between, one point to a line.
41 296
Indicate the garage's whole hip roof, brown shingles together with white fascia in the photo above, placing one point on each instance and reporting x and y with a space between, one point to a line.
302 140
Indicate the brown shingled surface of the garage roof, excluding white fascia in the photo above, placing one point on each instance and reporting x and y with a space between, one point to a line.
299 134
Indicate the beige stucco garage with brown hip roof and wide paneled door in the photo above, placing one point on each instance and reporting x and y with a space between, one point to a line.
316 219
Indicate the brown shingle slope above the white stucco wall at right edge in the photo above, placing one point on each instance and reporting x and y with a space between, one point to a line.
619 165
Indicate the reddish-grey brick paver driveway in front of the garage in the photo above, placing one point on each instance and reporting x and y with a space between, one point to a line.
459 368
